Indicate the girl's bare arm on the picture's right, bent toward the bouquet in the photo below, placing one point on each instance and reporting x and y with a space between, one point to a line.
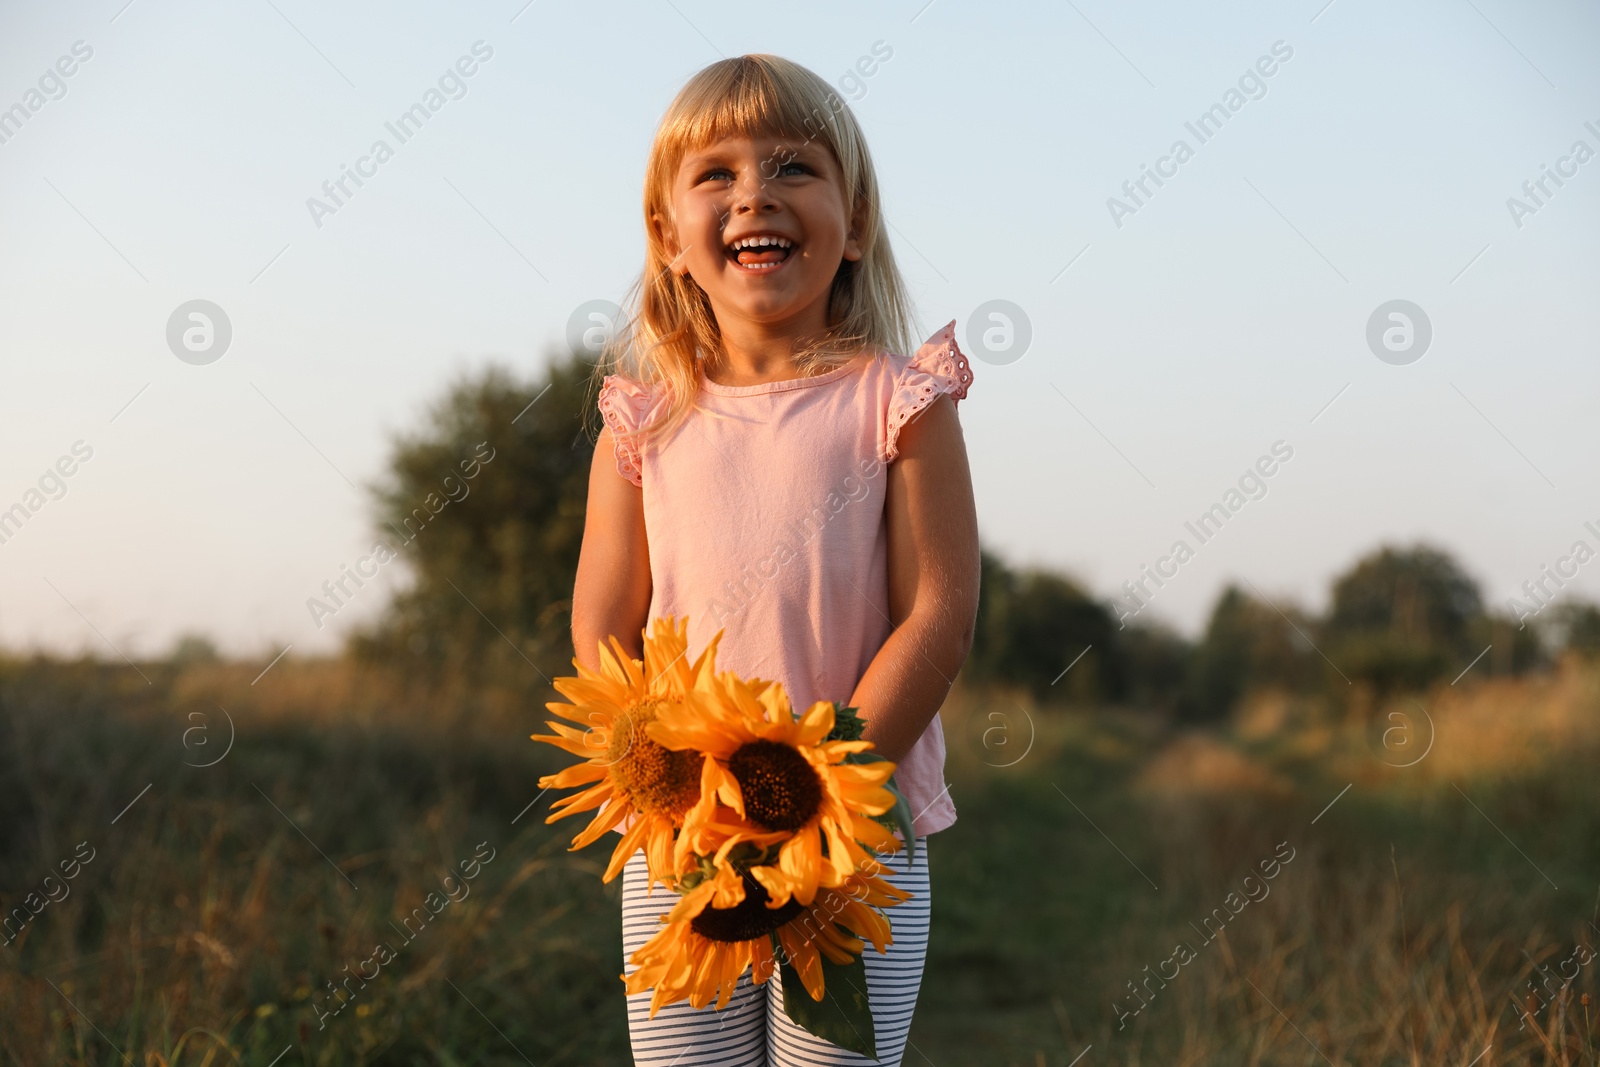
934 583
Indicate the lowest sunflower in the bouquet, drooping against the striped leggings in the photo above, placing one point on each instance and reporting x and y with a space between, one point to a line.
729 922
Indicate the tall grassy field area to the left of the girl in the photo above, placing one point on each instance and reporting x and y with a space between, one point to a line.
223 903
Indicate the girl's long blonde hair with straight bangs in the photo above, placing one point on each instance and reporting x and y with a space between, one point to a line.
670 324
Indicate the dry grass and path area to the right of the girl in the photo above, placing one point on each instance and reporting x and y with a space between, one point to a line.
1414 916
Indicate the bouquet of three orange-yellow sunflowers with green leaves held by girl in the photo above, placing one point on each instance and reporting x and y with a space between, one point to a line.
767 825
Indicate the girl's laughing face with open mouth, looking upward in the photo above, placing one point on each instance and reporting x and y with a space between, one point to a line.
762 226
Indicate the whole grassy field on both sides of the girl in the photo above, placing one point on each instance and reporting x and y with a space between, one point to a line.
1410 909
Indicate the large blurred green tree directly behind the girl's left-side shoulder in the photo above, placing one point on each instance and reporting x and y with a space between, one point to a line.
486 508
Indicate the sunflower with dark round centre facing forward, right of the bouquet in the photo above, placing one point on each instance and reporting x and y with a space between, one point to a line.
772 778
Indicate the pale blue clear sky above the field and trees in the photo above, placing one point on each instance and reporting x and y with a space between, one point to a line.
1175 335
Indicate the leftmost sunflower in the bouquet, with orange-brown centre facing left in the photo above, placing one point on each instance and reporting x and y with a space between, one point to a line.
625 770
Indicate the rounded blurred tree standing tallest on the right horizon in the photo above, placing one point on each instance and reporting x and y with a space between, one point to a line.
1404 618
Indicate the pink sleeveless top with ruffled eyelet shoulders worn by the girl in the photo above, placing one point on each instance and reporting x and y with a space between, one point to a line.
766 521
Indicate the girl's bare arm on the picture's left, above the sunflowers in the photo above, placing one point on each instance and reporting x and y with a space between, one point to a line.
612 594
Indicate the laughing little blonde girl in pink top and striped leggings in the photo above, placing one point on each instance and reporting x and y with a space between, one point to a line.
770 468
